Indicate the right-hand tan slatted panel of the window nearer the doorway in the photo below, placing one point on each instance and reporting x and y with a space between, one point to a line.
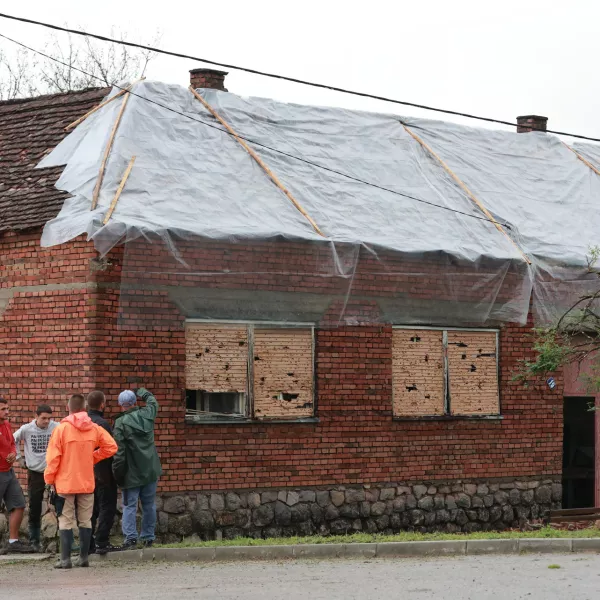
473 373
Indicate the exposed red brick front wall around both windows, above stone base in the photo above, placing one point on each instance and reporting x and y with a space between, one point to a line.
356 440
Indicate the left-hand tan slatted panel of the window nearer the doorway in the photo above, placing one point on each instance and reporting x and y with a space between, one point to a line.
418 372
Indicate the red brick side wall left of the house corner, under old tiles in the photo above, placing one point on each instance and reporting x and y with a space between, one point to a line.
45 341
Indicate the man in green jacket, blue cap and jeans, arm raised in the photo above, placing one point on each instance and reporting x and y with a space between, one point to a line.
136 466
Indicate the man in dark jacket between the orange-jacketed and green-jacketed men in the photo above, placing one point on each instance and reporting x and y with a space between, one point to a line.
105 493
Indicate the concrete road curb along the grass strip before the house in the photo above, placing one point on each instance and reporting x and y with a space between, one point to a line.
366 550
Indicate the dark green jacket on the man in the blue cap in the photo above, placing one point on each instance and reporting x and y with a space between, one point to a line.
136 462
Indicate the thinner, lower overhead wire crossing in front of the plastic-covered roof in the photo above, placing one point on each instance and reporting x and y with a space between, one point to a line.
299 158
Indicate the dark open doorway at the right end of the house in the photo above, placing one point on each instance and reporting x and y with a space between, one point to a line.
578 453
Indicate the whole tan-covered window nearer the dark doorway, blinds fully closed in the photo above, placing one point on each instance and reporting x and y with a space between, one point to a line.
439 372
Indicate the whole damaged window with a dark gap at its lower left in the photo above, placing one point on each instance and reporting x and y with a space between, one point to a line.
249 371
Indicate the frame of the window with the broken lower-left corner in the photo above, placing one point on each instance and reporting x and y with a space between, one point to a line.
250 417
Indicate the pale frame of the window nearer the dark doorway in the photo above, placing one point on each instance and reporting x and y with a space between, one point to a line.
447 416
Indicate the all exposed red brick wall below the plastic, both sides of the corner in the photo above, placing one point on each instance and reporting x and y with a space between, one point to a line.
55 341
